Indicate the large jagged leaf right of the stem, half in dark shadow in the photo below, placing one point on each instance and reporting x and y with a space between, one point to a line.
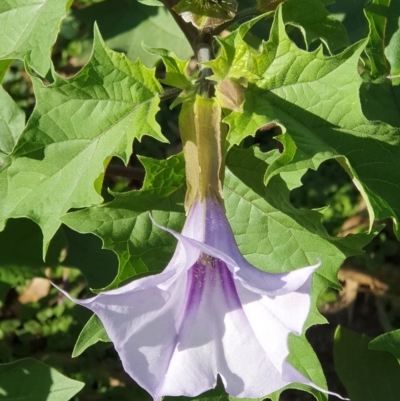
315 100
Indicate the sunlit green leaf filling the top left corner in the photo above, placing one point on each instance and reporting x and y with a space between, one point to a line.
29 29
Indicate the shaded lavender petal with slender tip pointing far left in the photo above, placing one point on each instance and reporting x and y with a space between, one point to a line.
144 327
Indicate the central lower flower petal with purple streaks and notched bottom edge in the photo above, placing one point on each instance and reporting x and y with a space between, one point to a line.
216 338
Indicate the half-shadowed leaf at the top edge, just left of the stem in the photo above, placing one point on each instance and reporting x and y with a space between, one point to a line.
125 25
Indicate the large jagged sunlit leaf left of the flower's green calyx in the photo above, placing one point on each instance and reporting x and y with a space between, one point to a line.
77 125
